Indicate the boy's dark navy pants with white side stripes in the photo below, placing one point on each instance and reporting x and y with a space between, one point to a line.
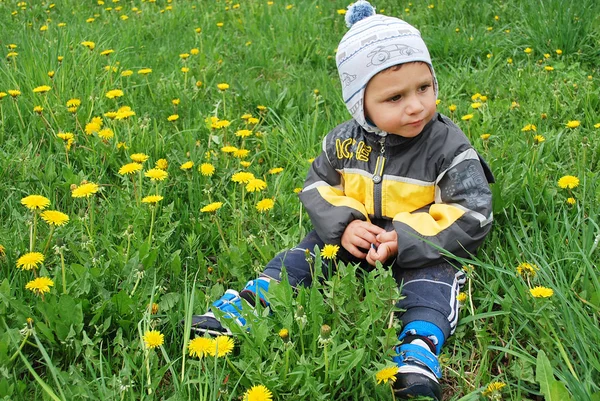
430 293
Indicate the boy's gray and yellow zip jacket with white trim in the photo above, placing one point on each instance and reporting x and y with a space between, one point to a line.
432 189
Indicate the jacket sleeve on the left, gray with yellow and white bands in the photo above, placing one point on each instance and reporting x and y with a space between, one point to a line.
323 196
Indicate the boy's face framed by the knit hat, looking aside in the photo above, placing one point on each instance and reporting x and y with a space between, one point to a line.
401 101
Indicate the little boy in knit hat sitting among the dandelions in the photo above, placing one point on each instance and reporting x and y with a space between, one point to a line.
394 184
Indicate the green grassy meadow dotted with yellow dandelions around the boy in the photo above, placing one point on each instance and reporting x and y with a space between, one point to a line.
151 152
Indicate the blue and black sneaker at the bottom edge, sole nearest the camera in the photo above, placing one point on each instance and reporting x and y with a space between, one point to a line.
418 370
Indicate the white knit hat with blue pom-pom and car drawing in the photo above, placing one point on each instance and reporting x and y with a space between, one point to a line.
373 43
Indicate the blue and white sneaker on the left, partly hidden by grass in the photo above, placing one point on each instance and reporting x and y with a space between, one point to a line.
230 308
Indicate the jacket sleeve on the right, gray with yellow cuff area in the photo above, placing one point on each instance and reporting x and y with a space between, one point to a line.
457 221
